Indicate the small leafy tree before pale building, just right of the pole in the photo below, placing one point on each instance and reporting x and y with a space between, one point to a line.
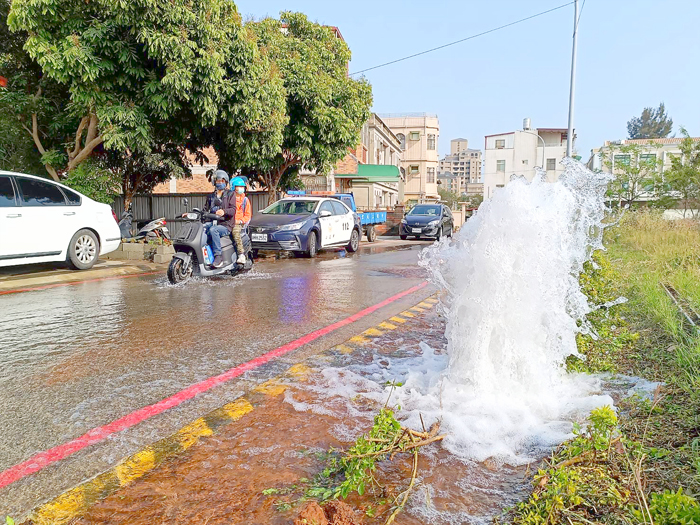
635 172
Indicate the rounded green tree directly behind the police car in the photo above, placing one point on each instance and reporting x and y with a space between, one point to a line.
324 109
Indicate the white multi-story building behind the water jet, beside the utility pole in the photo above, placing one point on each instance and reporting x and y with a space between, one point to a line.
520 153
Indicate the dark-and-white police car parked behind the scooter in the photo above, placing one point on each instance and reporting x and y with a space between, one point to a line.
304 225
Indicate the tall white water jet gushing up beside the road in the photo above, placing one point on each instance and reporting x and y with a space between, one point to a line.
513 307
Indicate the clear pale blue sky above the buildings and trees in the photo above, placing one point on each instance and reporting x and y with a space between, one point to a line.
631 54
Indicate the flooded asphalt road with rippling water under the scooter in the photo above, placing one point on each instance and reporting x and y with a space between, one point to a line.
77 357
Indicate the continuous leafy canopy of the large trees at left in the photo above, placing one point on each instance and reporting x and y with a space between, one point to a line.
133 86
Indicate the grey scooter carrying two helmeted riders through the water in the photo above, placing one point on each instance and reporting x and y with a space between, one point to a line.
193 256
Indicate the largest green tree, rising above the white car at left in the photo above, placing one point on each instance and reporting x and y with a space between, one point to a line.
131 69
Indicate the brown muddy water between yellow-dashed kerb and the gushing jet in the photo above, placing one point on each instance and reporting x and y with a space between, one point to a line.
283 441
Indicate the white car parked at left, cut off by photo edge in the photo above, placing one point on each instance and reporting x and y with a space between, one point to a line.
43 221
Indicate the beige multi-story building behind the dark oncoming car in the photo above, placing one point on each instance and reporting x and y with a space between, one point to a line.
418 135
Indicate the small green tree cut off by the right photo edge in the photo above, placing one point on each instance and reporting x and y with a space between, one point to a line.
684 176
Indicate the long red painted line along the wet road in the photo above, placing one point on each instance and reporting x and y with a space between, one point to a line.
55 454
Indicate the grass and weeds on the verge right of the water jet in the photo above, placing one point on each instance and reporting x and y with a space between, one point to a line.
641 465
